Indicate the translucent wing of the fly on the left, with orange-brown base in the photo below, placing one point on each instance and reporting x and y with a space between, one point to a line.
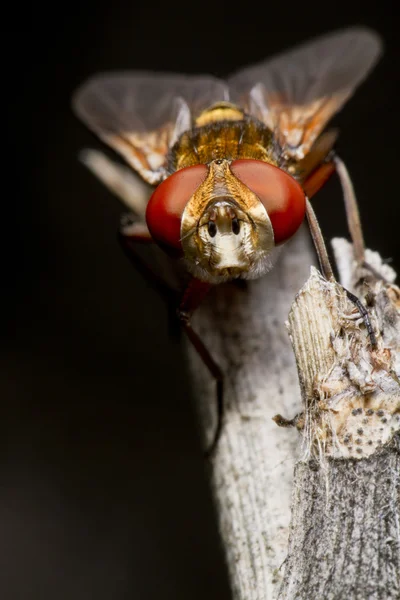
141 114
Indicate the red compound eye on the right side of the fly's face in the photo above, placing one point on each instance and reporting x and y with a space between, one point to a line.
282 196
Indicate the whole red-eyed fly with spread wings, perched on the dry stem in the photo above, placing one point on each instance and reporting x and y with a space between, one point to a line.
232 163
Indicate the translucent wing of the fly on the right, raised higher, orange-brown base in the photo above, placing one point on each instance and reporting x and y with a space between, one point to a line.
296 93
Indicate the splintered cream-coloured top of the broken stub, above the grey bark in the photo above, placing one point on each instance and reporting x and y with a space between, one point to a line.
351 390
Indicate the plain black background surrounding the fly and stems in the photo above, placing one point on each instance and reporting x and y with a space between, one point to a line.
103 489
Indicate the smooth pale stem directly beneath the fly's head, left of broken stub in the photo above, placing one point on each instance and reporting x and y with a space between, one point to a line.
252 470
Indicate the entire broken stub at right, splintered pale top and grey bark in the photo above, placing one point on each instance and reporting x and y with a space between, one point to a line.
345 535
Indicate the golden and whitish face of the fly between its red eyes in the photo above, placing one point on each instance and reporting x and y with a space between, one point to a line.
225 231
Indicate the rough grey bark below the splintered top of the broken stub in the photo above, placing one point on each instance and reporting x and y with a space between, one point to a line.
344 541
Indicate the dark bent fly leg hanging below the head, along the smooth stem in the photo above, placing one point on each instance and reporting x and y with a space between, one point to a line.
192 298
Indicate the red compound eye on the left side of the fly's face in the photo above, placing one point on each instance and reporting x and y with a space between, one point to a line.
167 203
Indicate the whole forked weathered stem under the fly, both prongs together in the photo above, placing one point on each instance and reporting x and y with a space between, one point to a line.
344 534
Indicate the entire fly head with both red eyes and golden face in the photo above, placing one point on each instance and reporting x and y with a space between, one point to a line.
226 217
